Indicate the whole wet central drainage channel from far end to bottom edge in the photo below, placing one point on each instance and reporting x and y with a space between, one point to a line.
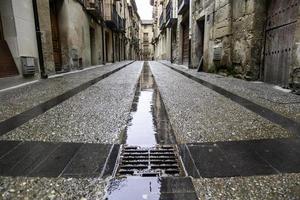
148 127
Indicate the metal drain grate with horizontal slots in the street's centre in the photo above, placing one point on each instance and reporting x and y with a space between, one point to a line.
154 161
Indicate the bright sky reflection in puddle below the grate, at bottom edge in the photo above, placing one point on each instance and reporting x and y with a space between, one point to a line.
134 187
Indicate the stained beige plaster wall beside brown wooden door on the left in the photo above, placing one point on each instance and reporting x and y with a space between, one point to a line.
74 27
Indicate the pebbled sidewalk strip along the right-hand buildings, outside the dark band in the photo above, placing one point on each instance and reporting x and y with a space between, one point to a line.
286 104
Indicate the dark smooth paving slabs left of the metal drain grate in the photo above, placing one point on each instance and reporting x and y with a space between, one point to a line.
44 159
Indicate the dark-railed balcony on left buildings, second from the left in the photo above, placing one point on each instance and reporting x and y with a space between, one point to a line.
111 16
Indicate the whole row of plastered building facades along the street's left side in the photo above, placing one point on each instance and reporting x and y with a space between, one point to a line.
63 35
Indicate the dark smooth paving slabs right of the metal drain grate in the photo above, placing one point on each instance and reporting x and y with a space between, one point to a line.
242 158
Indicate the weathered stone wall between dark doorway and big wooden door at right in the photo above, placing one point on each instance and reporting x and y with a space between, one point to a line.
238 28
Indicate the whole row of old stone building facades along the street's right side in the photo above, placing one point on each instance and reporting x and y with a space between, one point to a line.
253 39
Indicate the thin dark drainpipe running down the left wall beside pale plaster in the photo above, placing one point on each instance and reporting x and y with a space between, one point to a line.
39 40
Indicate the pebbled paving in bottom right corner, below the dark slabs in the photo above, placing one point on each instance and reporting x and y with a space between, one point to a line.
283 186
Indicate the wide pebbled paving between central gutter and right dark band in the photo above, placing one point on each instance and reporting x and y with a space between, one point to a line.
199 114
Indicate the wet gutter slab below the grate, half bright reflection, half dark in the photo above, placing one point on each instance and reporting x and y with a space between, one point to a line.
154 188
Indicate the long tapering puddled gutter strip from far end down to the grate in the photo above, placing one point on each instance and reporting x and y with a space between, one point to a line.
149 124
